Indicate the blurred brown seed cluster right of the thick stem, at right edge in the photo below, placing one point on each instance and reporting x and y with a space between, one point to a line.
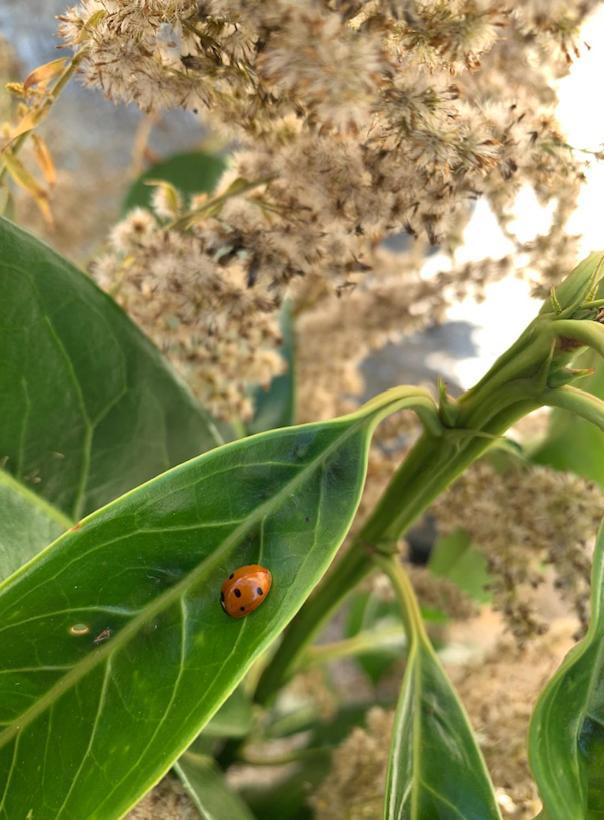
525 520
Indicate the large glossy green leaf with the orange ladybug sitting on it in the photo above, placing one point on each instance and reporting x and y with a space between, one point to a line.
114 647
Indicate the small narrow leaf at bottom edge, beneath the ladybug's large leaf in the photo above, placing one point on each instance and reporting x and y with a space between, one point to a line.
208 789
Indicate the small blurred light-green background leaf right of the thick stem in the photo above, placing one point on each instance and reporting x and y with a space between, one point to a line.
455 558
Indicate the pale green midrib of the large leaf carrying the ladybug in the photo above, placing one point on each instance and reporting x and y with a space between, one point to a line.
169 596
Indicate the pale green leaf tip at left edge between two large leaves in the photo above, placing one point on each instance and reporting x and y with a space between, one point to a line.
27 524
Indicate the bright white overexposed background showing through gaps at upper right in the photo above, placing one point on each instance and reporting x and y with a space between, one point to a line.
508 307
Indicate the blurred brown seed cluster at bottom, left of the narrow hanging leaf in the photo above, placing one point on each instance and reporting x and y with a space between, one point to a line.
355 785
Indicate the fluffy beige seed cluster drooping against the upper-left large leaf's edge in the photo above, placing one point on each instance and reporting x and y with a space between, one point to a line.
194 303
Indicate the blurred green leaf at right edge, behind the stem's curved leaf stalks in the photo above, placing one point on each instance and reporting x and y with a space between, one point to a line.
573 443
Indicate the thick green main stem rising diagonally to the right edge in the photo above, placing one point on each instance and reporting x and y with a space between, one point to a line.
517 383
